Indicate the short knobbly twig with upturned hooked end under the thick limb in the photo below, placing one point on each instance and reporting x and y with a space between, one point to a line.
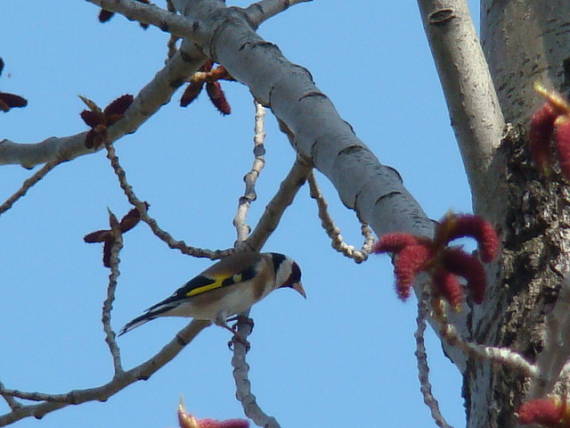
334 232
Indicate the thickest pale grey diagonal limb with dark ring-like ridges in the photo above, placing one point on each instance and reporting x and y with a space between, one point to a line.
307 115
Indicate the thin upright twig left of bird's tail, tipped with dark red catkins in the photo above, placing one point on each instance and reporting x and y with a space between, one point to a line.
108 303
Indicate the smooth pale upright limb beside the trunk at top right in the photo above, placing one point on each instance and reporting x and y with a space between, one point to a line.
475 113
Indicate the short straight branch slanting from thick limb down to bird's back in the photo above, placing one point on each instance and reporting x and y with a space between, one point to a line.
282 199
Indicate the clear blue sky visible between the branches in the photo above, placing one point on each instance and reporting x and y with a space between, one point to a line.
345 356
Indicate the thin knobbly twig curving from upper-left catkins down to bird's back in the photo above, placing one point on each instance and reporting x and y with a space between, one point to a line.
159 232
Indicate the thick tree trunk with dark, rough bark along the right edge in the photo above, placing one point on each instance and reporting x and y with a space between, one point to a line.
524 41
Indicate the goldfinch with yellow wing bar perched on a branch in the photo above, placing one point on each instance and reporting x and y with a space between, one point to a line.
227 288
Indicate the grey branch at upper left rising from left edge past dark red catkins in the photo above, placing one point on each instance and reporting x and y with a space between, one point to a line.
155 94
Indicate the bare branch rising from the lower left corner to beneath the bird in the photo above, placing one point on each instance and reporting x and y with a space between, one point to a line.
141 372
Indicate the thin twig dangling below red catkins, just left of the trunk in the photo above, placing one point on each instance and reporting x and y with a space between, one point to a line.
423 367
